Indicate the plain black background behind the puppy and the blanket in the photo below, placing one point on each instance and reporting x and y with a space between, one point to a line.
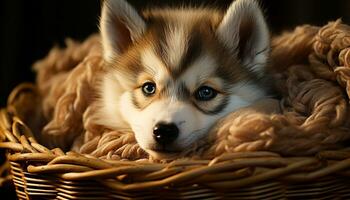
30 28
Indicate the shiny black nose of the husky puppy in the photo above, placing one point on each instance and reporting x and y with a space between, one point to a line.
165 133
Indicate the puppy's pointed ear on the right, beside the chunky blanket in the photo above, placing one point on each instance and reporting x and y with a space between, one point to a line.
243 30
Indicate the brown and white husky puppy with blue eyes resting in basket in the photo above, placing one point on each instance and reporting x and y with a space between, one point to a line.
172 73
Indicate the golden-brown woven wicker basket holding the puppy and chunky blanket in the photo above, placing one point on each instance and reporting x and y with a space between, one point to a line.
39 172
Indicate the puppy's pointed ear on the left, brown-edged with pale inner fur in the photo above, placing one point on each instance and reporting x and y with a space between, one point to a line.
120 25
